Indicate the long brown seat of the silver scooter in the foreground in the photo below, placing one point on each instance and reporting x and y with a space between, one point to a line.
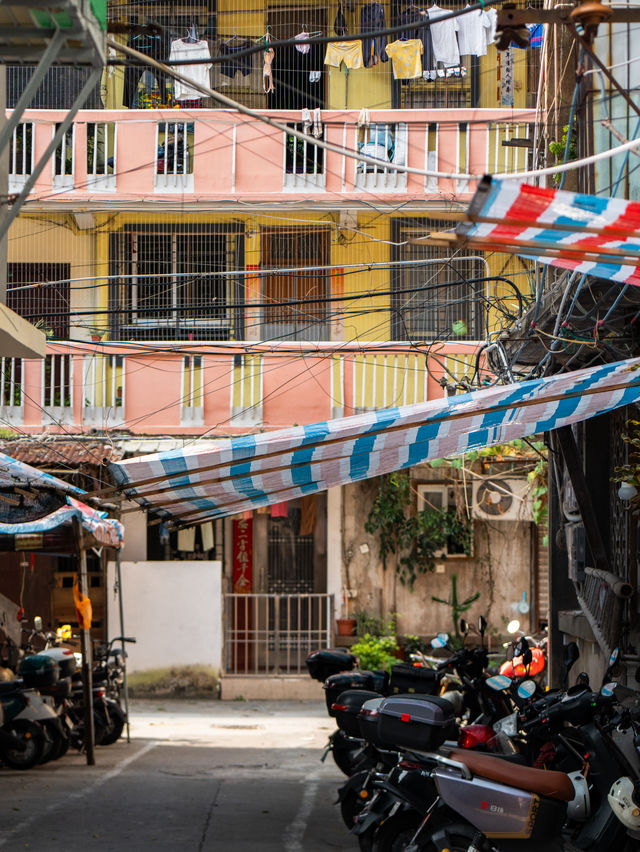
545 782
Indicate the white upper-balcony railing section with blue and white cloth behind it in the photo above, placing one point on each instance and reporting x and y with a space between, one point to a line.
388 144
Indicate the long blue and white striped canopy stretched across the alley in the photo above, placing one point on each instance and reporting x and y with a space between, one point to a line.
239 474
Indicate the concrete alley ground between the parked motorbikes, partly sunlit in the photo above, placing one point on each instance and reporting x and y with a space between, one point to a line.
197 776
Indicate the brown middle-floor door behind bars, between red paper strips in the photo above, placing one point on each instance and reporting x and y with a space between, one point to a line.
287 249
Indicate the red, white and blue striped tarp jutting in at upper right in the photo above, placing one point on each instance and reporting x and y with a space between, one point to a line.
587 233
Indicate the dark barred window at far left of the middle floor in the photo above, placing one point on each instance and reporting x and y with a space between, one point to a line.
46 307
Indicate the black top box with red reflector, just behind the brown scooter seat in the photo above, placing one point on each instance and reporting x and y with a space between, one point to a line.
421 722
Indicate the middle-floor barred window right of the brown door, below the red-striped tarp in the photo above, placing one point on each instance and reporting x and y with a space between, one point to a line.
444 306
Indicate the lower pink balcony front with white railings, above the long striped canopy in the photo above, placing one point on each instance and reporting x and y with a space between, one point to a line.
216 390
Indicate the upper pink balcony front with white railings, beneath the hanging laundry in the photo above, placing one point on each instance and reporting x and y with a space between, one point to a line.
222 155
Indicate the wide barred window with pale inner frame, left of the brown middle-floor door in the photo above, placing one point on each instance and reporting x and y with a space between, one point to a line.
177 282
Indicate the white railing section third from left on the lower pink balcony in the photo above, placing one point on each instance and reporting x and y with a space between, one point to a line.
103 378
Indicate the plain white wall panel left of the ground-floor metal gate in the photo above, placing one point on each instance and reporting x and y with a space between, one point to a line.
174 609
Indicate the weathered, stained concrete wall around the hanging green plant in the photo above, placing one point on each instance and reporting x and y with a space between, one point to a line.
500 568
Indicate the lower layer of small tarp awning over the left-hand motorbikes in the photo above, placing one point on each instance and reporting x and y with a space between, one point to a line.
54 532
